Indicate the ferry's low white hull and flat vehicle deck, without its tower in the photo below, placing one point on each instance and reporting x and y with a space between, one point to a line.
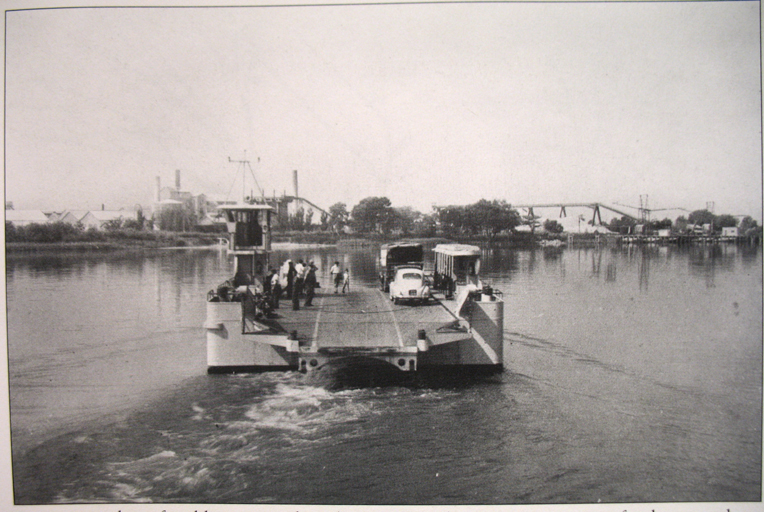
365 331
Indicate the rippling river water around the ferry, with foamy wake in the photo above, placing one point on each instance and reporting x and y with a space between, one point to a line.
632 375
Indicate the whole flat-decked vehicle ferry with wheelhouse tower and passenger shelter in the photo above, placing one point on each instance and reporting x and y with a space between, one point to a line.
460 329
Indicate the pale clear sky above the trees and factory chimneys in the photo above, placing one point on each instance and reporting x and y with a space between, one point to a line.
426 104
